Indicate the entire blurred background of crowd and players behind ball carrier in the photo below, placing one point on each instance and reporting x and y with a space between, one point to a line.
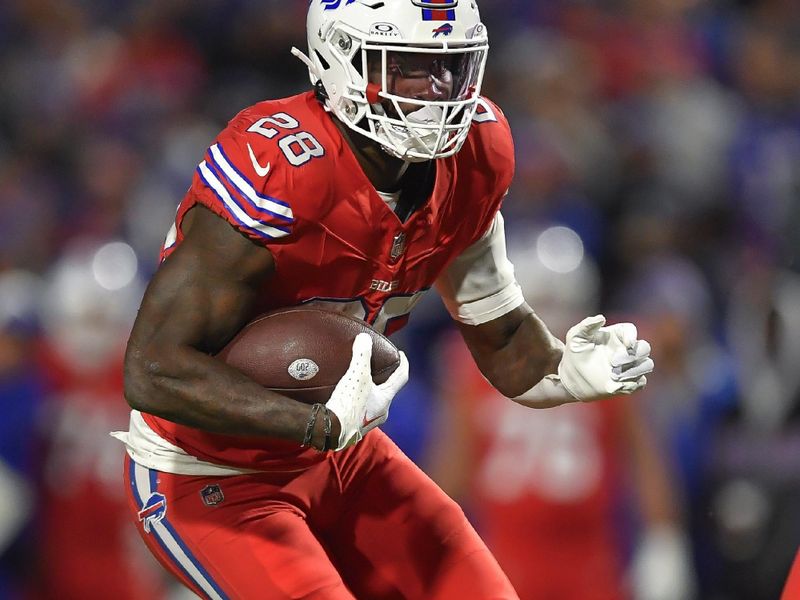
658 181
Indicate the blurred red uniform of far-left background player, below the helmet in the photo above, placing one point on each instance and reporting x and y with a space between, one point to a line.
82 514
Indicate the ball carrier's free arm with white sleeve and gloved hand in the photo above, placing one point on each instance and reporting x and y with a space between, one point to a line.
515 350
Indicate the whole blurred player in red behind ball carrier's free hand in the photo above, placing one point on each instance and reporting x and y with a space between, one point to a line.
546 489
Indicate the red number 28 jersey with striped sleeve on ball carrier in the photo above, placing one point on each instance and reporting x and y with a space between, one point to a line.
283 175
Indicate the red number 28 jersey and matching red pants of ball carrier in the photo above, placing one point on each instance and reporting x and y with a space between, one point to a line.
364 521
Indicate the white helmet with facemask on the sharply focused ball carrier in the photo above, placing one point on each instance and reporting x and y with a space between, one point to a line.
405 73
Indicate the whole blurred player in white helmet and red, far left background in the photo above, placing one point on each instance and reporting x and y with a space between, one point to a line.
89 302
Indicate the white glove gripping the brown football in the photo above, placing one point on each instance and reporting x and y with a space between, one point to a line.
358 402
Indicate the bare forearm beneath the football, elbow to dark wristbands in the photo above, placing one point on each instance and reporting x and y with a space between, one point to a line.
191 388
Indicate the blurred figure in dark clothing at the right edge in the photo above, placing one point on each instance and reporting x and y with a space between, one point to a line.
751 489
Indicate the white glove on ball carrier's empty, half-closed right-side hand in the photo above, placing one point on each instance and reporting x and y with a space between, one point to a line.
603 361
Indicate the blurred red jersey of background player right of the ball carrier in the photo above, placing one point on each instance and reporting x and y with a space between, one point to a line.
541 485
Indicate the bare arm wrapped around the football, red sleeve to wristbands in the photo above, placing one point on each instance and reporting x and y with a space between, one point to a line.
199 299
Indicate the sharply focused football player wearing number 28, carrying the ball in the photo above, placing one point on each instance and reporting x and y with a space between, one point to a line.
384 180
